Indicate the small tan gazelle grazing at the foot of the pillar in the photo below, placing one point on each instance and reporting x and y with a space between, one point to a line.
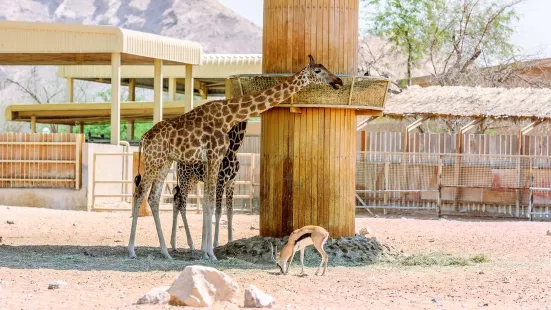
298 240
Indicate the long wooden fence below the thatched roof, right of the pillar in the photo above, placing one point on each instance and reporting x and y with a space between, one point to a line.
473 184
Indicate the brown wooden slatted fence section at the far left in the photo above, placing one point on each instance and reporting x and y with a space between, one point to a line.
32 160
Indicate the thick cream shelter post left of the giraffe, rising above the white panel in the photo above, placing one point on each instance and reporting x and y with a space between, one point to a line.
115 98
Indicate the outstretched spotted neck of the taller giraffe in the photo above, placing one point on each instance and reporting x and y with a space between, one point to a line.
252 105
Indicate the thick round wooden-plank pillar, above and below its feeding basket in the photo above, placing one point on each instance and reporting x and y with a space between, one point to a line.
308 159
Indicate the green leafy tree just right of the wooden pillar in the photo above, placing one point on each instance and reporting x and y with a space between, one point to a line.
405 24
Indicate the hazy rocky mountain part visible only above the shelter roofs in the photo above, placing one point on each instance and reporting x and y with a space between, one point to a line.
217 28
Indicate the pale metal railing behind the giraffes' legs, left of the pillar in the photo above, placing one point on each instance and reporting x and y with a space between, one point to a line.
244 185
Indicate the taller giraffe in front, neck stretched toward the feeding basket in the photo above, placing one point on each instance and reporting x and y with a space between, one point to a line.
201 136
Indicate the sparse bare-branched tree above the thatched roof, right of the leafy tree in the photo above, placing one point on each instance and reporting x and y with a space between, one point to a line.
471 34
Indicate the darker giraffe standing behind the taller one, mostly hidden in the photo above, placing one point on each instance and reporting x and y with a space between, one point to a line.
189 175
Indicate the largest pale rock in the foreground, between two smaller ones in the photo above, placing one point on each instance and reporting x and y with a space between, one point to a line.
200 286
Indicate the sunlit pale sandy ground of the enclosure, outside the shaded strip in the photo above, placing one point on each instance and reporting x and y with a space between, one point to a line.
88 251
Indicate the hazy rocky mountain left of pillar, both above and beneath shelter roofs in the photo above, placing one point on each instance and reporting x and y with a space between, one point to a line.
217 28
